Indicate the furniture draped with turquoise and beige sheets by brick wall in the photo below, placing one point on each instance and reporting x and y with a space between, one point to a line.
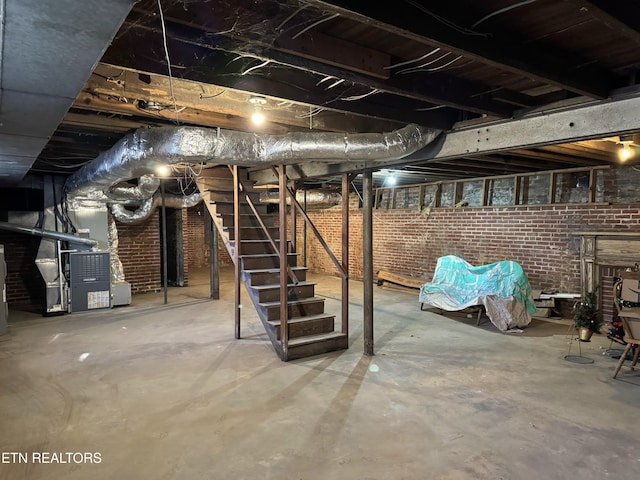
502 287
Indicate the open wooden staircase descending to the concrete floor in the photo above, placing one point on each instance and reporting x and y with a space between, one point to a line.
310 331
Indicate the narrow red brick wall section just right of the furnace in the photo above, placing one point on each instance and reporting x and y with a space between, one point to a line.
140 254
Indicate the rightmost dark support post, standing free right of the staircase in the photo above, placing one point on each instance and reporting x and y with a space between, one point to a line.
367 260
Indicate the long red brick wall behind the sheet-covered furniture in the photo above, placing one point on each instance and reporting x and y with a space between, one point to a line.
541 238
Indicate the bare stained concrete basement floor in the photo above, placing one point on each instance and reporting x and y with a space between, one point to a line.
166 392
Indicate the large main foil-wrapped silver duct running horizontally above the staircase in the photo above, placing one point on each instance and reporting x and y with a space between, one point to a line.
139 153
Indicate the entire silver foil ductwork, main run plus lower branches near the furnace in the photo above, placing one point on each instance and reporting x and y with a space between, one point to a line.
137 156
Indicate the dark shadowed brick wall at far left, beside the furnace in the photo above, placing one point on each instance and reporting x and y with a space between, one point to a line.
25 286
